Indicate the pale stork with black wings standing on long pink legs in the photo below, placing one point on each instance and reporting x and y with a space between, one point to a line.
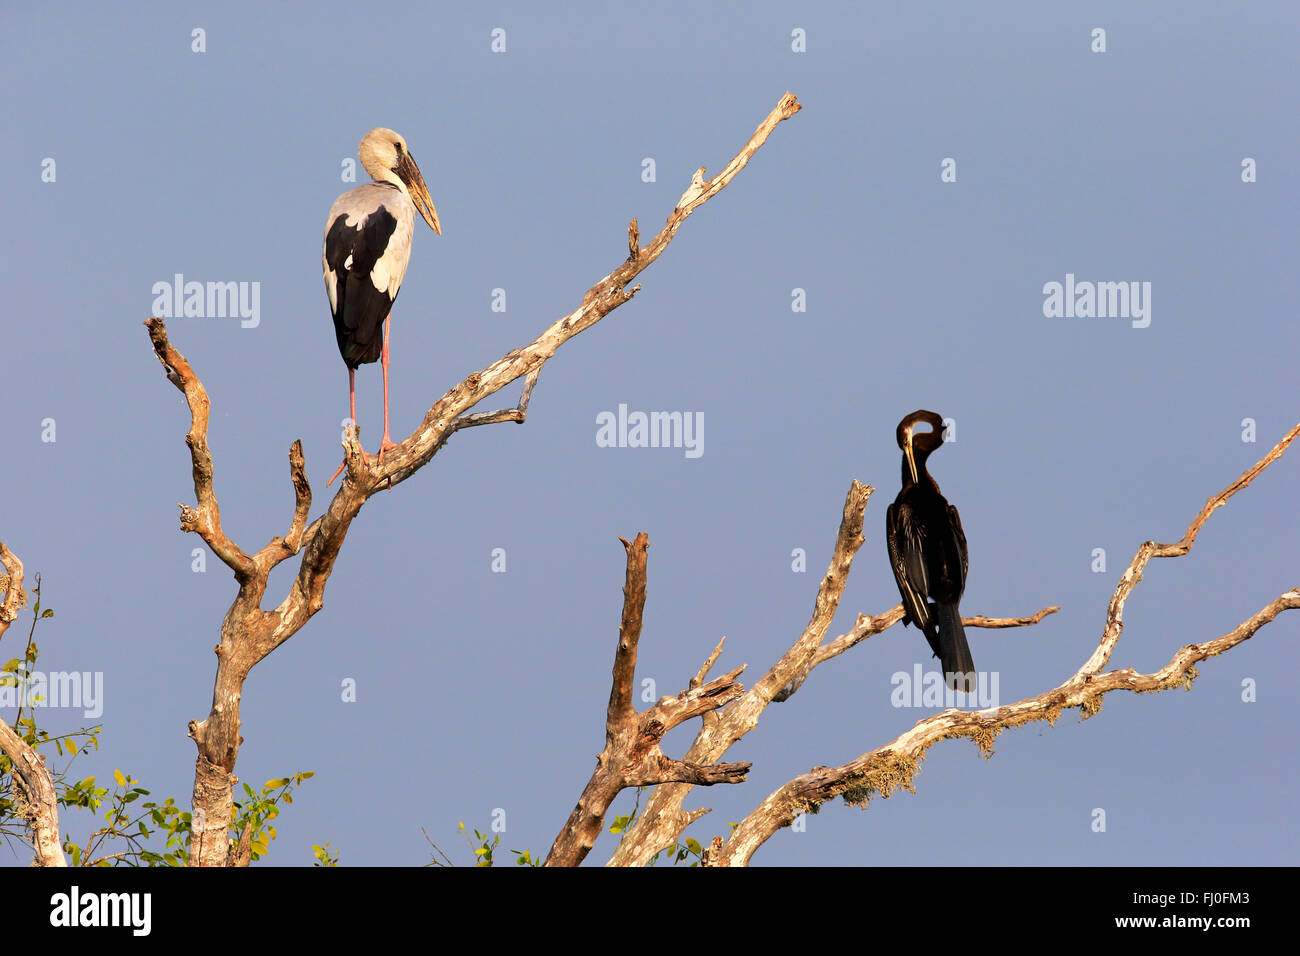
367 250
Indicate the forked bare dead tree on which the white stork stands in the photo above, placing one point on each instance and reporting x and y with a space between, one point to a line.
249 633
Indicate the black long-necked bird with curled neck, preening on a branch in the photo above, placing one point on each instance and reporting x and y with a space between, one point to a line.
928 552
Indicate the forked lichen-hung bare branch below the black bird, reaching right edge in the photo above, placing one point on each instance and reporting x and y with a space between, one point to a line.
894 765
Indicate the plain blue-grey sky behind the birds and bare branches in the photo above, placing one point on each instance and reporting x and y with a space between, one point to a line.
482 691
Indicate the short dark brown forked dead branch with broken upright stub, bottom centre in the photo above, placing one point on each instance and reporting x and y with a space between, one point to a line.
632 756
